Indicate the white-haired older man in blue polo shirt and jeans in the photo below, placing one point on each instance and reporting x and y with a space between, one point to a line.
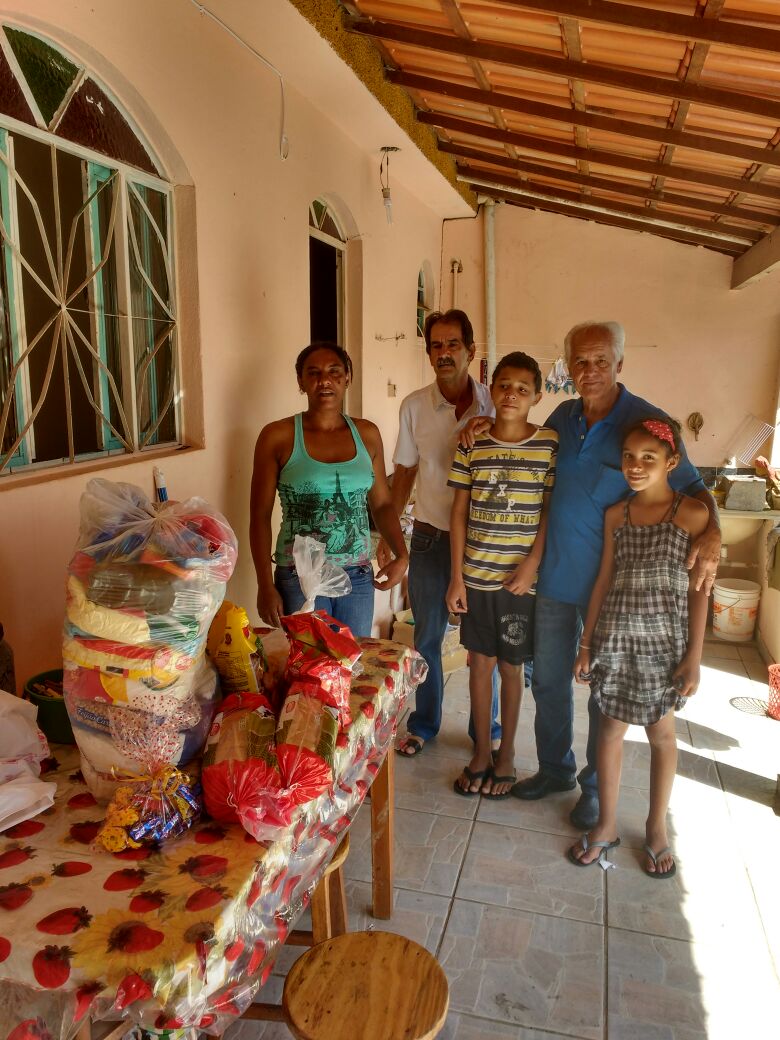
589 480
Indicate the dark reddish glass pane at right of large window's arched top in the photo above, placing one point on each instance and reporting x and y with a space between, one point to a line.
93 120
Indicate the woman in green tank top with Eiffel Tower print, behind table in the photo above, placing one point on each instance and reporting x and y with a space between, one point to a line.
328 470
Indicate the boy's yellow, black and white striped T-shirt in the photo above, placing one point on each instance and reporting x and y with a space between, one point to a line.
508 483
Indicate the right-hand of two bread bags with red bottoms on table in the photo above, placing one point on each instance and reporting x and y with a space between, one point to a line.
306 742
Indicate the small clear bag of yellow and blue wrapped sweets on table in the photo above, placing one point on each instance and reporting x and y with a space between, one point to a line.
149 810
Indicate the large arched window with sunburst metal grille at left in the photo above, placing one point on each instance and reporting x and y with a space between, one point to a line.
89 362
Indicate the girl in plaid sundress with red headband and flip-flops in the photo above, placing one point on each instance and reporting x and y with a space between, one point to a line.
642 641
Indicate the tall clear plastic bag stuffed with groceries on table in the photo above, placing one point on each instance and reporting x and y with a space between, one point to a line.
143 588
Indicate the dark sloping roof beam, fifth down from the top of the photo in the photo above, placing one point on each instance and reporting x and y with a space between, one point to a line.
620 188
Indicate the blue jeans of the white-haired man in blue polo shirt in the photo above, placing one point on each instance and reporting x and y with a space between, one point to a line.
557 635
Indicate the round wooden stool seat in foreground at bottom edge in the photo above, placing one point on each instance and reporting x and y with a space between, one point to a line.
369 984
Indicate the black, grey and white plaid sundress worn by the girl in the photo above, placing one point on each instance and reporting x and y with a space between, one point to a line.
642 633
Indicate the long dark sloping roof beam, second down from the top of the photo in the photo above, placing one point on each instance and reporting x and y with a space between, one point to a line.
567 69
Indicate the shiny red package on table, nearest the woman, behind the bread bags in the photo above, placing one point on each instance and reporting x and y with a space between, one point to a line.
325 652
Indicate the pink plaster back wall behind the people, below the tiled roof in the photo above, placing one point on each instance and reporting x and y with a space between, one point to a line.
716 351
